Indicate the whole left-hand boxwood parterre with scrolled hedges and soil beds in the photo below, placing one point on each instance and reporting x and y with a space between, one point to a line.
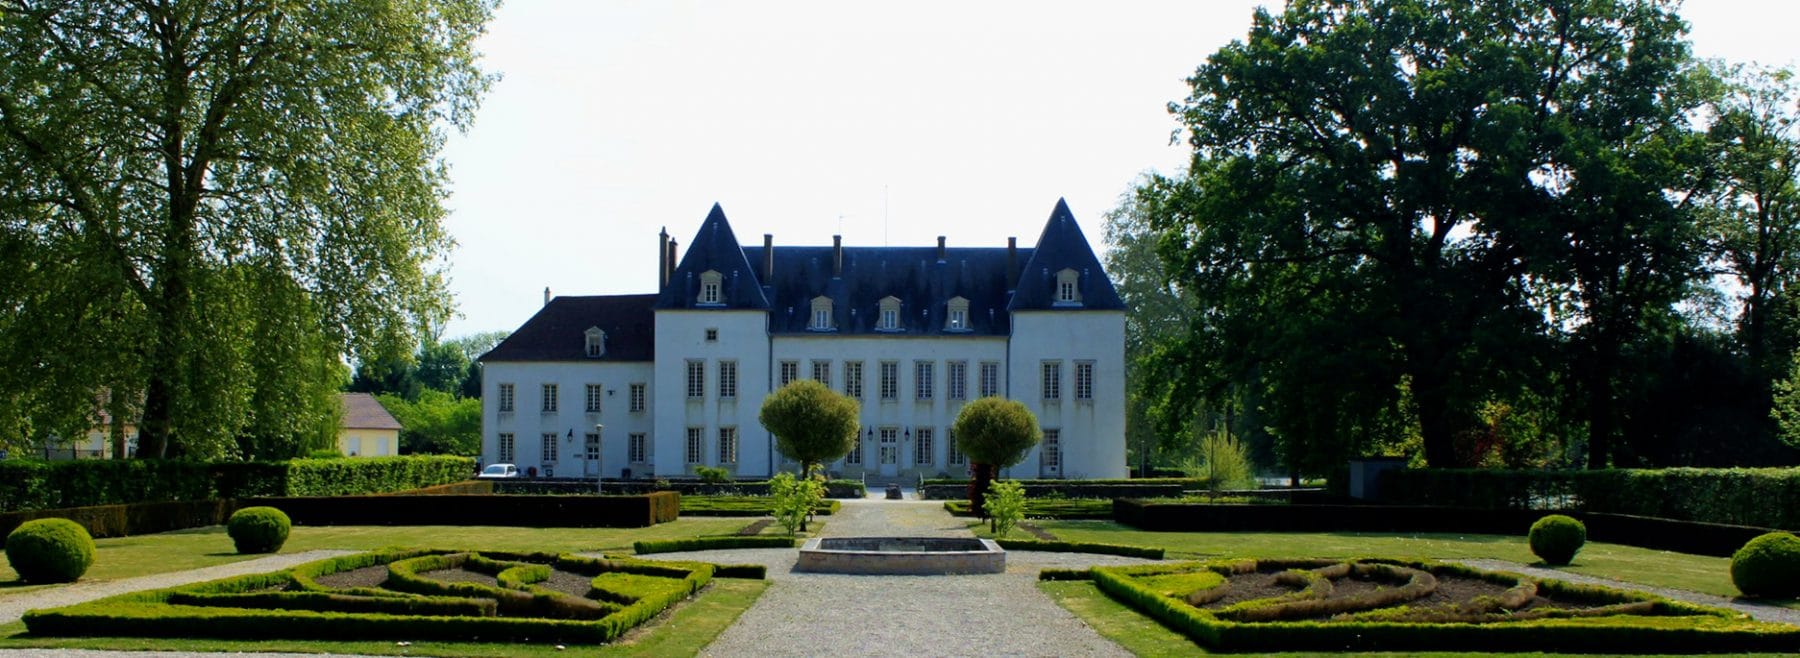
411 605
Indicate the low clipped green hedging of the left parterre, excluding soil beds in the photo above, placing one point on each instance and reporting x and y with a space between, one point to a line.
150 614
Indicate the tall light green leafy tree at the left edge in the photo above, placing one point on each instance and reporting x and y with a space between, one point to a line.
168 163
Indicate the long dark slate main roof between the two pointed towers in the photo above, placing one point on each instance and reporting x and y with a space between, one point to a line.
910 274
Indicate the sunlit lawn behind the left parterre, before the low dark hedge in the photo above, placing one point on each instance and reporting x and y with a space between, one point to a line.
181 551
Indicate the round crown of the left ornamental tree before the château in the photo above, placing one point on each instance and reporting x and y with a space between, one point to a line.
813 425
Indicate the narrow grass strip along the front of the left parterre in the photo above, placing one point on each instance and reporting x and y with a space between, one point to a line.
683 634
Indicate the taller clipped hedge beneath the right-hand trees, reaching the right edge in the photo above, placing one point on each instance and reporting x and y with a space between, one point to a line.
1734 497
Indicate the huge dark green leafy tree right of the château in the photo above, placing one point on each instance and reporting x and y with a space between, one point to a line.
1390 197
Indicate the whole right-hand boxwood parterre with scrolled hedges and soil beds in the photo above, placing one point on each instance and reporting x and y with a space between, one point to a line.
1306 616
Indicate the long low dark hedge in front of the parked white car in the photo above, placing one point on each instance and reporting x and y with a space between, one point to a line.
481 510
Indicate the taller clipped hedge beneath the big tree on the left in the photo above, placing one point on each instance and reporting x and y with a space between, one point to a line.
31 486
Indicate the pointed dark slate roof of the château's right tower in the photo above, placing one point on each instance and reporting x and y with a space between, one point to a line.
1065 247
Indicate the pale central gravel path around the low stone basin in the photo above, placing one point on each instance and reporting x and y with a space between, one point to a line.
906 616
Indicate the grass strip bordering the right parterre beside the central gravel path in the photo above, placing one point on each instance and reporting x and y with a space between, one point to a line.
1146 637
